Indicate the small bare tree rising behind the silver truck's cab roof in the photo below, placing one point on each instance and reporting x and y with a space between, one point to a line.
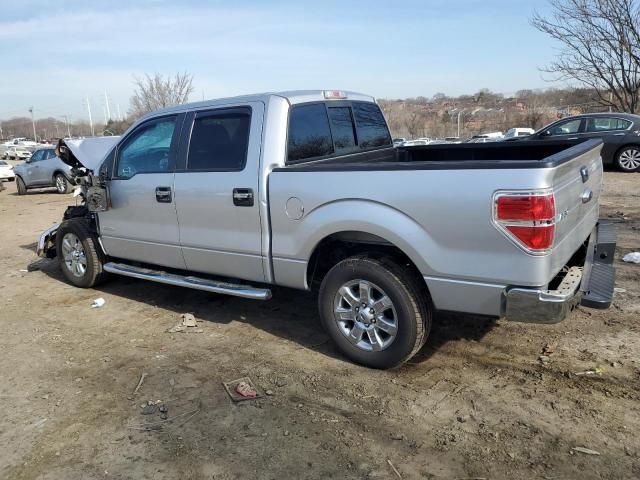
154 92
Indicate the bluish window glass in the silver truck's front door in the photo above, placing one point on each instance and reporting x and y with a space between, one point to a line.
148 149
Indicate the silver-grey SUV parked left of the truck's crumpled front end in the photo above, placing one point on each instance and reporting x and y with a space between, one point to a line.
43 169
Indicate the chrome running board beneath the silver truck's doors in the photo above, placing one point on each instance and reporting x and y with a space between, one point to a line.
197 283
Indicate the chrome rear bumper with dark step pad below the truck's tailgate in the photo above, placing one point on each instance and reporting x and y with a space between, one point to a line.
590 285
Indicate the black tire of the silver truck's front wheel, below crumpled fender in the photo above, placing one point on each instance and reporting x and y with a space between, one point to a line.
93 257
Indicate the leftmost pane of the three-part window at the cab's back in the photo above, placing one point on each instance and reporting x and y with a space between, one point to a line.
309 133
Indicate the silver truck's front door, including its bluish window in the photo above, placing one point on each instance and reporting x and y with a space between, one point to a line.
141 223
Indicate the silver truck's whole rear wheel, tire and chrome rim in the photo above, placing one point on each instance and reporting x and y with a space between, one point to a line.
377 312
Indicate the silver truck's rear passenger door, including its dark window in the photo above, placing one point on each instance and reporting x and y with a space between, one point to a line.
216 189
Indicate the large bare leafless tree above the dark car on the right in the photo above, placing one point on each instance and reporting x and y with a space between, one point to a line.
600 47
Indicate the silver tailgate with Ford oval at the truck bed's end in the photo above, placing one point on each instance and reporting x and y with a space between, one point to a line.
576 185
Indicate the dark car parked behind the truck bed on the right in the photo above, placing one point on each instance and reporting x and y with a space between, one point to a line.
620 133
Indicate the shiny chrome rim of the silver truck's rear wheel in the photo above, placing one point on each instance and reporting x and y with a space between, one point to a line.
365 315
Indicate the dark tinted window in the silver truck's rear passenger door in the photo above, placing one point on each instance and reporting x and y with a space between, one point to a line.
219 140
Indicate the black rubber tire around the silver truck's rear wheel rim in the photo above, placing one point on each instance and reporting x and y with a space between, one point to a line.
411 303
